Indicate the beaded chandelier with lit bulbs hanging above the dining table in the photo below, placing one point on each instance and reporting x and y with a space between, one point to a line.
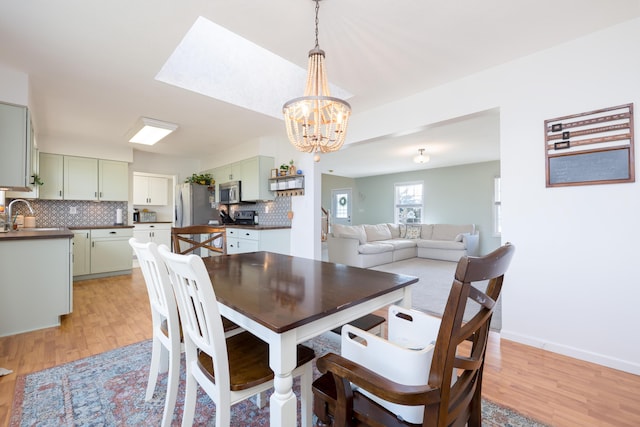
316 122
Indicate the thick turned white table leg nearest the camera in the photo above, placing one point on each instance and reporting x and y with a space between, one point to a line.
282 359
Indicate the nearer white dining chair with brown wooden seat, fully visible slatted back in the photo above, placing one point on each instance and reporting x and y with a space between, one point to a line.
230 369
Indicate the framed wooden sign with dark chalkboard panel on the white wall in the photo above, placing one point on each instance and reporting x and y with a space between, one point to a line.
590 148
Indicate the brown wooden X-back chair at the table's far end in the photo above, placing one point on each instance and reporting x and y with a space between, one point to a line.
186 240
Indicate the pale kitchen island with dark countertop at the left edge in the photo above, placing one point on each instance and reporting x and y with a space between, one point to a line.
36 279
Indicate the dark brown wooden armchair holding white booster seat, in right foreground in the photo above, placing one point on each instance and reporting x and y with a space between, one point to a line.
452 394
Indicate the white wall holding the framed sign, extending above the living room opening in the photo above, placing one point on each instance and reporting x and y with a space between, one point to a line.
572 287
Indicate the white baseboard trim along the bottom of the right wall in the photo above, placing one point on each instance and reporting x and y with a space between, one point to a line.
576 353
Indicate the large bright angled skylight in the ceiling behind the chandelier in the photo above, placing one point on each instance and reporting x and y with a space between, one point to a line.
215 62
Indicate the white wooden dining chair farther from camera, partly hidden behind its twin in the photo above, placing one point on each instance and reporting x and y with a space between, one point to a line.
166 347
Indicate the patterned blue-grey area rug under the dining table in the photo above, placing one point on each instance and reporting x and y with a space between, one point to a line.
108 390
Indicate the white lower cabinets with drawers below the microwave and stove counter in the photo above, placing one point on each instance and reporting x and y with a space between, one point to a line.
241 240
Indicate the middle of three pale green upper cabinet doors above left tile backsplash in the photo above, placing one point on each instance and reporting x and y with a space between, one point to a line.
80 178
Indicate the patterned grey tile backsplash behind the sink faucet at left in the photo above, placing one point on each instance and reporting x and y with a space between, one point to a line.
56 213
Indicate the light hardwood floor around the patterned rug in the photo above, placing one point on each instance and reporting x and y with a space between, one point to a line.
113 312
